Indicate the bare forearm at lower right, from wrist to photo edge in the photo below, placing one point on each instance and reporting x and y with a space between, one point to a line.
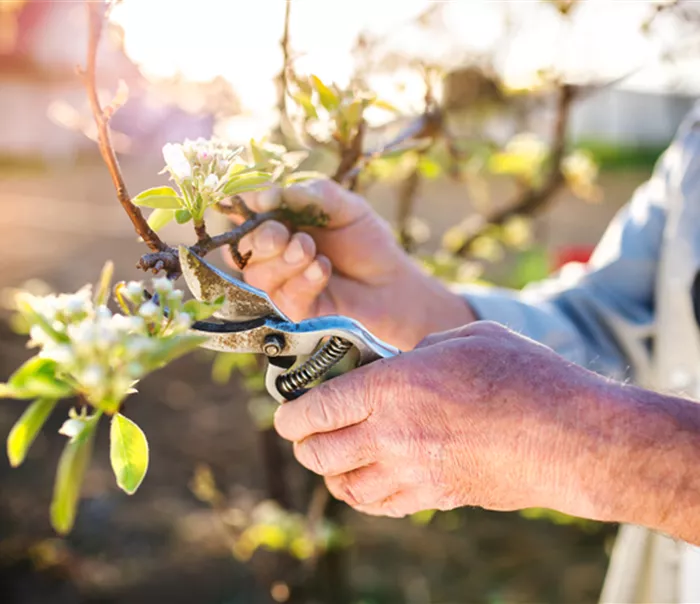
638 461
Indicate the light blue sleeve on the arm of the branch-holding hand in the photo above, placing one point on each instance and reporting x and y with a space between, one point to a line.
601 314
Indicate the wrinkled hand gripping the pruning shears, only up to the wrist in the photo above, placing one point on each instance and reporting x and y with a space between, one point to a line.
477 416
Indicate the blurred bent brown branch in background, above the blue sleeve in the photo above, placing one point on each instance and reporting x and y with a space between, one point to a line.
533 200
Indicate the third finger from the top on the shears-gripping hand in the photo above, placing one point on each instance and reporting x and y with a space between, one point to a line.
364 486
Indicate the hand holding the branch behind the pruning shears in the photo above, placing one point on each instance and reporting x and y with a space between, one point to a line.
352 267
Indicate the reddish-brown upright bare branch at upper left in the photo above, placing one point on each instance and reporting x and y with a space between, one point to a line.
95 19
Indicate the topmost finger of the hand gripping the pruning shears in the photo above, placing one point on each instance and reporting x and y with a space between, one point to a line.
330 406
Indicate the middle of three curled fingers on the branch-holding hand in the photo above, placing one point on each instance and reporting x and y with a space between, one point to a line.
271 273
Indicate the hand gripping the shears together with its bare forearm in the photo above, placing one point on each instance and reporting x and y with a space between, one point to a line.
483 417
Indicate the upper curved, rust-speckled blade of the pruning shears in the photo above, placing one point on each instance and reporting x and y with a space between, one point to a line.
207 283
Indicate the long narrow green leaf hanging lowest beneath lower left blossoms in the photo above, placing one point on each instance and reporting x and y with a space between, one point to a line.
69 476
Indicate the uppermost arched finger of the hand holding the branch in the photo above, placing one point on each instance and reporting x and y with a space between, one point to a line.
342 207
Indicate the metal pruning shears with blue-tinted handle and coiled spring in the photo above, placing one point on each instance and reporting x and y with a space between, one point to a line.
298 354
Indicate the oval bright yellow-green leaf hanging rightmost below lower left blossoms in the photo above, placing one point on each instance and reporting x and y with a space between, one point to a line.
128 452
